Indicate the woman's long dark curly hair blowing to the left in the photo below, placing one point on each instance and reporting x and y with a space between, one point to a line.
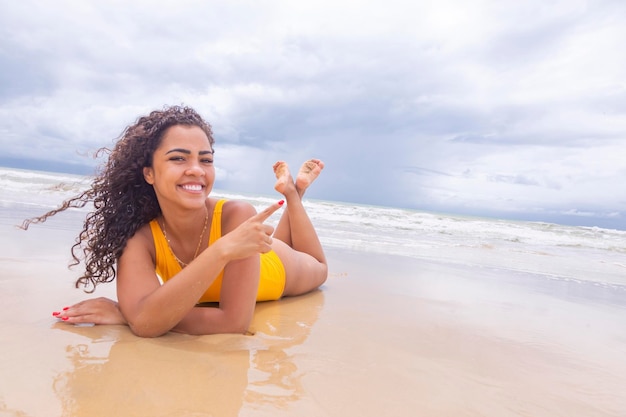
123 201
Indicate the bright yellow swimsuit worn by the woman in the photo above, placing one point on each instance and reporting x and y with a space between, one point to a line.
272 279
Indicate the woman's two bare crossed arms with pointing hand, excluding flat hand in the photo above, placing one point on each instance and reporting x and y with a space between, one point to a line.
152 309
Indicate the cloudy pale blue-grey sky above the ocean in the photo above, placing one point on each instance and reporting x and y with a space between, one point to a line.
508 109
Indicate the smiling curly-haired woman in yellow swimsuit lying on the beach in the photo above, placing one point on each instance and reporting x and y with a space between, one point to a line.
153 220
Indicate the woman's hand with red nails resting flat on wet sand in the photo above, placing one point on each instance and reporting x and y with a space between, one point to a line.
96 310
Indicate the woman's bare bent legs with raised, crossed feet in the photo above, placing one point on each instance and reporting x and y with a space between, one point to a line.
305 263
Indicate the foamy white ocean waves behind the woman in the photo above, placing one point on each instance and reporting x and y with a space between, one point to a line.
552 251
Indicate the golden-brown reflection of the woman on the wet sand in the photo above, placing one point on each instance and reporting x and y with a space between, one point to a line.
116 373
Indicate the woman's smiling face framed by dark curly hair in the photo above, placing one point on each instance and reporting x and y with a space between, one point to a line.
182 171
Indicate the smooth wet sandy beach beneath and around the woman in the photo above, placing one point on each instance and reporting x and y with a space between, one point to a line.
385 336
